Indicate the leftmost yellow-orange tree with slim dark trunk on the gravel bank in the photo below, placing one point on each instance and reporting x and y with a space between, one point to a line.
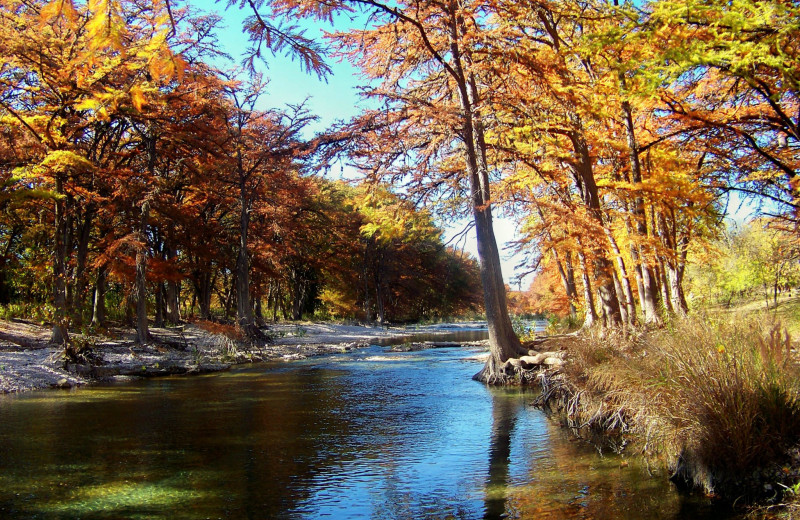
68 75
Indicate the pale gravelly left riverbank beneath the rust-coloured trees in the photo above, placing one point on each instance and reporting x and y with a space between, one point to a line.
28 361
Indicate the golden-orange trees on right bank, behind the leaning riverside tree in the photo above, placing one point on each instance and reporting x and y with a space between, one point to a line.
634 124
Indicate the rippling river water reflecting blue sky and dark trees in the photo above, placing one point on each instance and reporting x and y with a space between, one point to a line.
370 434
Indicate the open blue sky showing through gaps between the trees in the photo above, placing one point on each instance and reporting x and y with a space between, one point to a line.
331 100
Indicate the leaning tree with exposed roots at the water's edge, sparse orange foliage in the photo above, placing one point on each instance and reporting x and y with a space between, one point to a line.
435 107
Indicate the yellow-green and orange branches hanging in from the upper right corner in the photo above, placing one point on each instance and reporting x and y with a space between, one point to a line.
732 74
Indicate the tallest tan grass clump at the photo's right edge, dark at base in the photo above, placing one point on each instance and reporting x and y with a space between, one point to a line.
733 399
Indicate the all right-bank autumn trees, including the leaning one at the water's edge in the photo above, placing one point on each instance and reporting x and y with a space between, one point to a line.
612 130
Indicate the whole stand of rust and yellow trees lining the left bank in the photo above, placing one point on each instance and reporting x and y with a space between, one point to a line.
134 172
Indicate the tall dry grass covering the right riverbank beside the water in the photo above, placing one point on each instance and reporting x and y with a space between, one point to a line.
719 400
